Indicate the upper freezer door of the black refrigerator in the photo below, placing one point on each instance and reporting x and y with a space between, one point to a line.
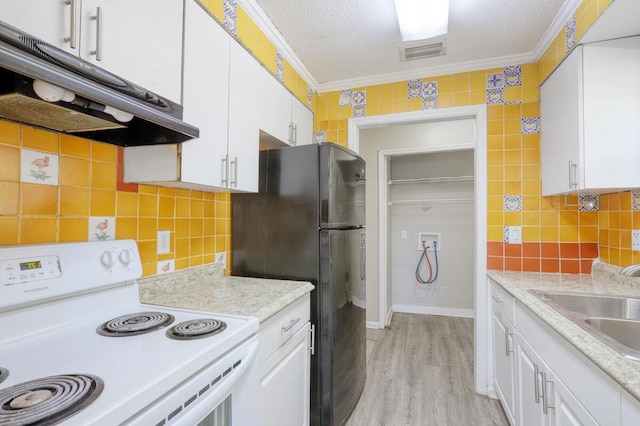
342 188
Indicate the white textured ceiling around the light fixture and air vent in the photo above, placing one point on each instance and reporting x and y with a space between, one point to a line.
345 41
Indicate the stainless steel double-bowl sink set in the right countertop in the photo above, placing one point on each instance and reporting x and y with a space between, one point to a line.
614 320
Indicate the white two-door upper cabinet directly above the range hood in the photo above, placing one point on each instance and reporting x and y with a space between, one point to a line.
140 41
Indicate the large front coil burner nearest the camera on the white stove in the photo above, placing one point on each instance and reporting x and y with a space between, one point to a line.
48 400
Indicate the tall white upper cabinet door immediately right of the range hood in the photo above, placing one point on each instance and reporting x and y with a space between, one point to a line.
206 96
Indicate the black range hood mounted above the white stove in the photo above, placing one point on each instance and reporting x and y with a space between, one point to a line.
44 86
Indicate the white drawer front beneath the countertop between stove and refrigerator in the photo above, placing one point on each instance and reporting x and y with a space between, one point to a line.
277 330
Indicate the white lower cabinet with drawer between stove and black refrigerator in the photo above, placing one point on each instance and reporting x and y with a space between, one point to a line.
285 357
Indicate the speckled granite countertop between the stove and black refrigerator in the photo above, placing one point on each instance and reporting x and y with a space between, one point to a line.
205 288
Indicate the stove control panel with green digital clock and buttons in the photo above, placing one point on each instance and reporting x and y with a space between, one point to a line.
25 270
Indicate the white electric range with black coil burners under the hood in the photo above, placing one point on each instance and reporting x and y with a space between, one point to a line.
75 349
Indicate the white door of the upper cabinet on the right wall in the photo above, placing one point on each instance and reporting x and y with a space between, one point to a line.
561 126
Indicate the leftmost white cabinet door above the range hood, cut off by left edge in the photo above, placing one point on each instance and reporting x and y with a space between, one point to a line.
50 21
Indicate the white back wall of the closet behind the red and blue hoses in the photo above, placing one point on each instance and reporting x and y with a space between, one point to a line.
453 291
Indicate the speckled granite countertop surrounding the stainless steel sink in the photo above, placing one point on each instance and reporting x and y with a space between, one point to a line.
604 280
